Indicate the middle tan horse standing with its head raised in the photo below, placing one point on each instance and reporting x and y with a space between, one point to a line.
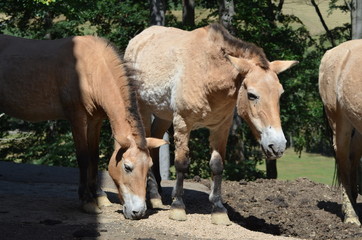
195 79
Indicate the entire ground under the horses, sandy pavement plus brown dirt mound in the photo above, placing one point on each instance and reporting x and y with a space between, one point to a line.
39 202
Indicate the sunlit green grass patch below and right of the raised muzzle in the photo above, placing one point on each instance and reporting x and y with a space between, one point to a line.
315 167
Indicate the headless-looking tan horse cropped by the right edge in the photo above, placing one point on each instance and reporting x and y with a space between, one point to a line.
340 87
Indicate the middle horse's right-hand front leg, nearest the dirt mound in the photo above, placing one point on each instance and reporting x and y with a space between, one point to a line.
218 140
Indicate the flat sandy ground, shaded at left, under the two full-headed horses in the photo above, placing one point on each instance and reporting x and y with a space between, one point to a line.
39 202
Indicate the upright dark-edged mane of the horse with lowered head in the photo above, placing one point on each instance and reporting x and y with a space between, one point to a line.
124 75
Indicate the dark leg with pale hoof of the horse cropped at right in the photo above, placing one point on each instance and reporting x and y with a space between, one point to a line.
344 169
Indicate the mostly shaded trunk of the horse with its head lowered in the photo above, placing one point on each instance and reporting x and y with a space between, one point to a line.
43 79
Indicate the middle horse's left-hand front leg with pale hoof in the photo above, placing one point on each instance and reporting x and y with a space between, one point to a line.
182 162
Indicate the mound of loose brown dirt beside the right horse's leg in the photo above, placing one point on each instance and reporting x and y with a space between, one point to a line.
299 208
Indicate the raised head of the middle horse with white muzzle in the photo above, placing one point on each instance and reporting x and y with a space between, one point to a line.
258 102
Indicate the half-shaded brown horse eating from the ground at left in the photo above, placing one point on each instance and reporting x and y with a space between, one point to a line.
82 80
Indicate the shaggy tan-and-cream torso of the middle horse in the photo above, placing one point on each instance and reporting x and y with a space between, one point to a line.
180 71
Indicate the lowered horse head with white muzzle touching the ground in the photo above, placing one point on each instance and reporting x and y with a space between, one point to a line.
128 168
